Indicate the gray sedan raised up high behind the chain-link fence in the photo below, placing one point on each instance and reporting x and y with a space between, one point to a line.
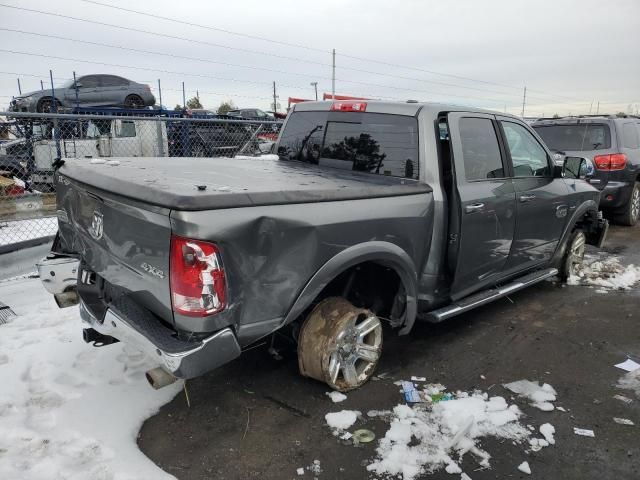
91 91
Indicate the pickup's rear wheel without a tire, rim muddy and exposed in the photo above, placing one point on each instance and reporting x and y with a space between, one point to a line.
340 344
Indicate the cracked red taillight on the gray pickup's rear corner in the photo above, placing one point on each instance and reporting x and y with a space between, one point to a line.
198 282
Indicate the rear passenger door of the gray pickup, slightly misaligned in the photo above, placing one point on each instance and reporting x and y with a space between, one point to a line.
486 199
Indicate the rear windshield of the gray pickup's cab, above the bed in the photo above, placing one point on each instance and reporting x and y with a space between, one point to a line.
367 142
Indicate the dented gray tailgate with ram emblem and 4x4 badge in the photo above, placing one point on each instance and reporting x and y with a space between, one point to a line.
126 243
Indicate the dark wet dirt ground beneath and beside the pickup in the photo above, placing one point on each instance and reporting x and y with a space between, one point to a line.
258 418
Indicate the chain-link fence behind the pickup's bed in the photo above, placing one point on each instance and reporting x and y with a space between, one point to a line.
31 144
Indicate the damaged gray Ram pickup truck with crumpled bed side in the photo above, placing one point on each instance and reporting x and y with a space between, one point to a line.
370 212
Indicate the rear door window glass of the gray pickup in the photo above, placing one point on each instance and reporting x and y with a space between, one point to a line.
480 149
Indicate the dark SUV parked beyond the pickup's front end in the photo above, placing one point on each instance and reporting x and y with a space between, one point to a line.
613 145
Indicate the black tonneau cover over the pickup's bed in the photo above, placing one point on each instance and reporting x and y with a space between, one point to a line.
232 182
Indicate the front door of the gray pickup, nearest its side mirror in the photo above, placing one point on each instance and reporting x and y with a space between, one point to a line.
542 200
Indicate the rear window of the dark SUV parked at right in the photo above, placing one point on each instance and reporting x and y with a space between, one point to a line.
576 137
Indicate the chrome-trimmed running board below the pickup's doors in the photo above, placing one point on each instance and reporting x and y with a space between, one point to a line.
486 296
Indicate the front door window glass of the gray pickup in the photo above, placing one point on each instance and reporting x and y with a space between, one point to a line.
527 155
